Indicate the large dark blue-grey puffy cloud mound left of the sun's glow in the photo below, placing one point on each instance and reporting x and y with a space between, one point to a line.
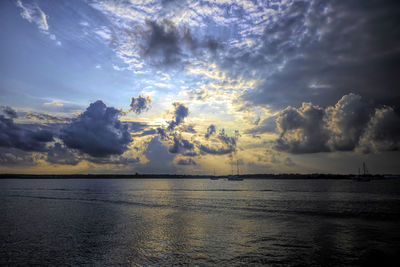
97 132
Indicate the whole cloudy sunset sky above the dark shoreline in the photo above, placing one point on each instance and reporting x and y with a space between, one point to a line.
197 87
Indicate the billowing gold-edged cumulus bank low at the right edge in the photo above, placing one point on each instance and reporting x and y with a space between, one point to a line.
349 125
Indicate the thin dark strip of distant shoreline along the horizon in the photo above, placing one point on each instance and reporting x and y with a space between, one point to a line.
178 176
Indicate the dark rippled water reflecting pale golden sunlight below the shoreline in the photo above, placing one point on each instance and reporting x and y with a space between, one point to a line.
199 222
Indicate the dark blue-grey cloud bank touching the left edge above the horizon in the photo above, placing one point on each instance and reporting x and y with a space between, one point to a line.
19 136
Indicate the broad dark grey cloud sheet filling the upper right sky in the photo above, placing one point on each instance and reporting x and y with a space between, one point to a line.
319 51
